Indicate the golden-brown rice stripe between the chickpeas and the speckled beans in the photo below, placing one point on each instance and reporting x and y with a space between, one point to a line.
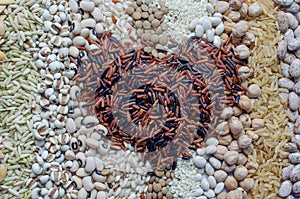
268 152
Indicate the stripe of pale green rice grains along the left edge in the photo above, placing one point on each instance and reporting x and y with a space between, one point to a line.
18 86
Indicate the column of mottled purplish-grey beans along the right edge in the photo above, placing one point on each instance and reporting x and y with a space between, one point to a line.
289 53
